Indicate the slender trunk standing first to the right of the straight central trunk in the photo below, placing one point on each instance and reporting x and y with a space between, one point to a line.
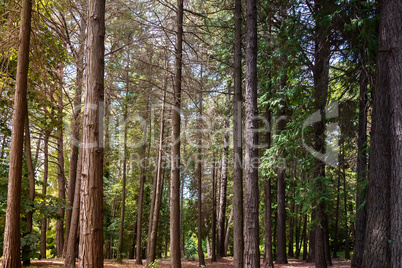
201 260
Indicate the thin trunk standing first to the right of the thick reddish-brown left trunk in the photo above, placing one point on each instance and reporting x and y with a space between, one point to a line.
123 199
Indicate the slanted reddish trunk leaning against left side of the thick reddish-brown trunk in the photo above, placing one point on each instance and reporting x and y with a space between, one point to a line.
74 224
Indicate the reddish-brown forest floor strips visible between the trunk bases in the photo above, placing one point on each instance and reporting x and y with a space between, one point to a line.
223 262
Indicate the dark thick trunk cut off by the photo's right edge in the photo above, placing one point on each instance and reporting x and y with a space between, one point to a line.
393 13
